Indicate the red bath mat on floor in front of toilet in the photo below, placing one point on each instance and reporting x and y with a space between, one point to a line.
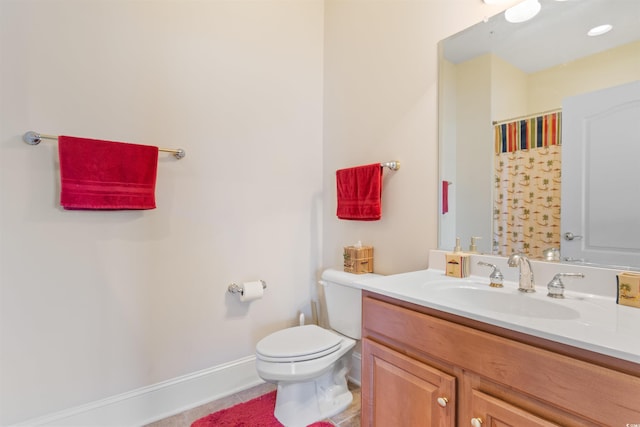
254 413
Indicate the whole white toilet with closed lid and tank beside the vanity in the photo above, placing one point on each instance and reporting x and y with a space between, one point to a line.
310 364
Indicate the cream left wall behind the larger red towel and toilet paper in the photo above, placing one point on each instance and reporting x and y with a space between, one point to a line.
98 303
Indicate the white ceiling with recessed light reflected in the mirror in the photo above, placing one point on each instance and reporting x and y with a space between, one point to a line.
532 47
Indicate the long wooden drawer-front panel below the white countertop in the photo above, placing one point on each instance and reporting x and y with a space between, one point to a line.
594 392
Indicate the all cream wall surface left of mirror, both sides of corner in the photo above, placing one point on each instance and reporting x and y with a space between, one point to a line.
268 98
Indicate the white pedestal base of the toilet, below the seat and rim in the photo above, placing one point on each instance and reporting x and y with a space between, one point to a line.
299 404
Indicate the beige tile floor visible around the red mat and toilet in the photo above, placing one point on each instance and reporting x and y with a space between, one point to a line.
348 418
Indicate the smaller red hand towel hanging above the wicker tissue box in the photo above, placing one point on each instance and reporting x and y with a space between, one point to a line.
360 192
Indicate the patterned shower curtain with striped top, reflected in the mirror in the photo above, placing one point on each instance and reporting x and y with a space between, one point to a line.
527 178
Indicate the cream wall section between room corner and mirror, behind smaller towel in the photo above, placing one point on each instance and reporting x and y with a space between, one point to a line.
380 103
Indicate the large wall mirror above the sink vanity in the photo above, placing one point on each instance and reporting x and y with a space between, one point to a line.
497 73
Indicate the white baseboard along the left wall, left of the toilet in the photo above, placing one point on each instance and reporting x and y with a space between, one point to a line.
158 401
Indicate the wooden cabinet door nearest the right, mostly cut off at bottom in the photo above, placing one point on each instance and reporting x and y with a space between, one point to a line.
491 412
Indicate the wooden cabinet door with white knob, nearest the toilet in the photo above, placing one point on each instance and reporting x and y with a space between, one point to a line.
400 391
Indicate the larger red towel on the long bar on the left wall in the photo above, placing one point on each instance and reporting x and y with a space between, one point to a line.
106 175
